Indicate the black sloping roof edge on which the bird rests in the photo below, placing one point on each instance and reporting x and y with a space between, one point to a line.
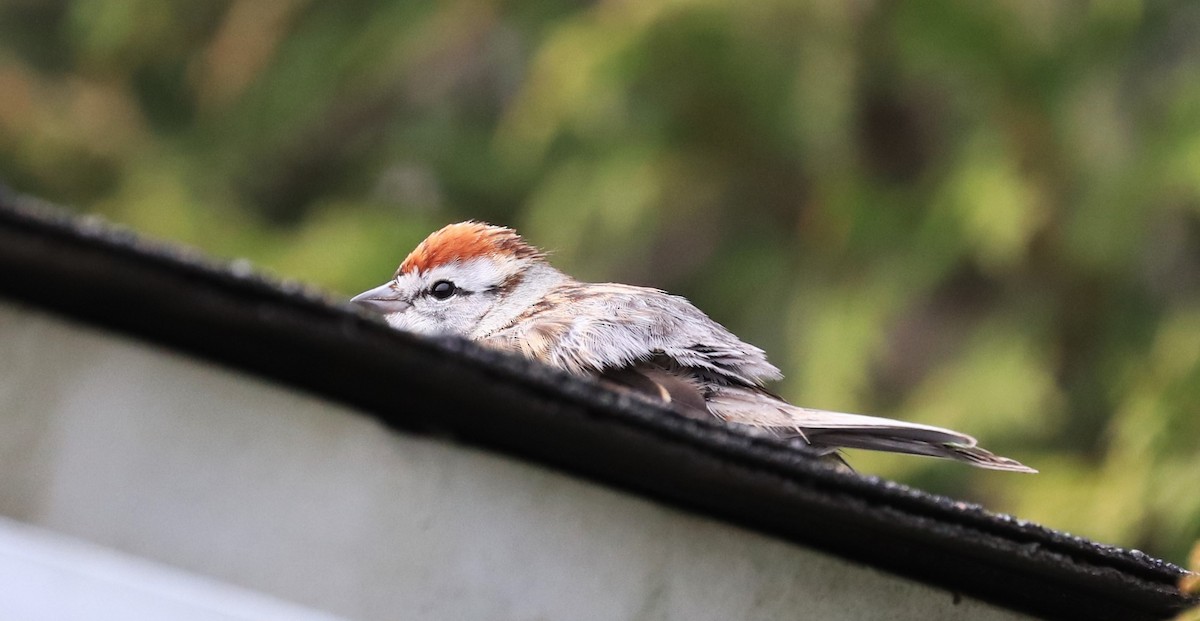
107 276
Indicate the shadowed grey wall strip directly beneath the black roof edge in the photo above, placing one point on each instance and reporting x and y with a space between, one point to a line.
219 474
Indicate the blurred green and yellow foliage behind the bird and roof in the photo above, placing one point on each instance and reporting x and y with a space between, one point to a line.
976 215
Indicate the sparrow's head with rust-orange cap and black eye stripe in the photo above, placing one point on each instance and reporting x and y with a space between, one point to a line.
466 280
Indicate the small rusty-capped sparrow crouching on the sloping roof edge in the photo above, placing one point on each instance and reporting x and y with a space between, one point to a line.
485 284
